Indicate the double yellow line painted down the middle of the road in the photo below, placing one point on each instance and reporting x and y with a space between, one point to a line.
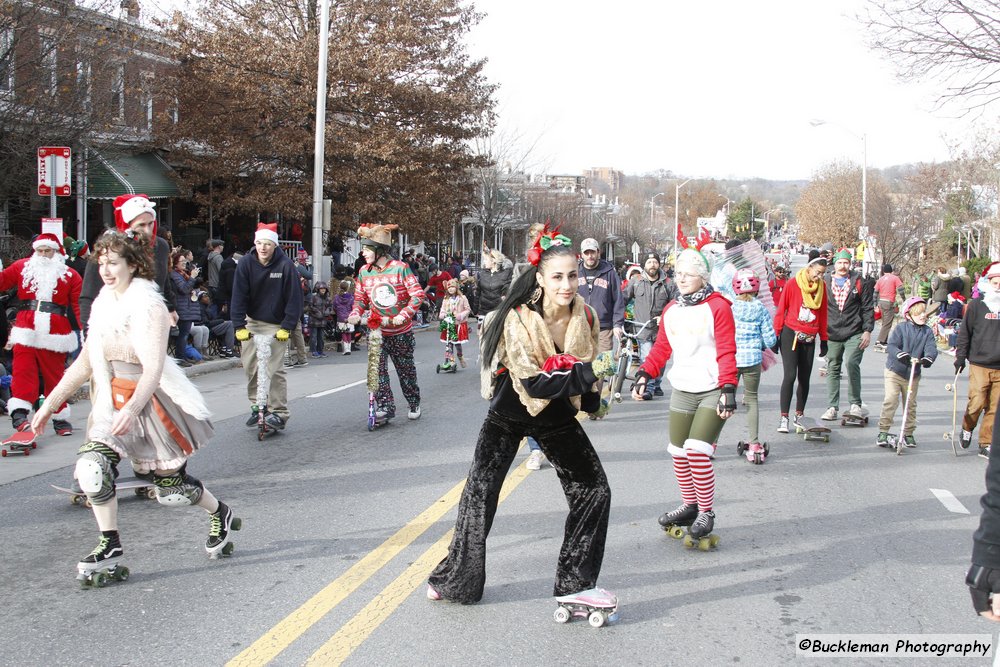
353 633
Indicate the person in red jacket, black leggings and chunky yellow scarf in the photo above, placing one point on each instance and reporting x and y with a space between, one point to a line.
799 319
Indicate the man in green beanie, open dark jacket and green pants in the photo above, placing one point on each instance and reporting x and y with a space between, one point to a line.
849 325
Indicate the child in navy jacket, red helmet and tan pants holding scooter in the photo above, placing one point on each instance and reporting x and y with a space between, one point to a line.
911 347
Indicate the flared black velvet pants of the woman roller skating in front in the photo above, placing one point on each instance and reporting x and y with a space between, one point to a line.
461 576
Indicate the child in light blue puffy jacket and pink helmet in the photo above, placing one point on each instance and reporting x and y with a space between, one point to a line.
754 334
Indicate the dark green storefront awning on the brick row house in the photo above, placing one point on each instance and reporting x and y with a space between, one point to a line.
146 173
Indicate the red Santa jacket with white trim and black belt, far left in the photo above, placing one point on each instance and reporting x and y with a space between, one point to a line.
36 328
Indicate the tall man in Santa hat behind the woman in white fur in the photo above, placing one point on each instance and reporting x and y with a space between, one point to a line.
136 215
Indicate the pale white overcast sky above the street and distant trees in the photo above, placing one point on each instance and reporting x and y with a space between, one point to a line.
705 88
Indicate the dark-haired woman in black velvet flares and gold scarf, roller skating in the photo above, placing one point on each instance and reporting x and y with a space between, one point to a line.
539 369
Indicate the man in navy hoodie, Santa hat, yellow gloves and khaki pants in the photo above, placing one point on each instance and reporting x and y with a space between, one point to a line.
267 300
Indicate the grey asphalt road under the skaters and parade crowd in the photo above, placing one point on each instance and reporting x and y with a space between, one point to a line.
341 527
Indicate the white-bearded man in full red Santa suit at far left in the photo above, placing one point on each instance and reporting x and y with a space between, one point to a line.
42 335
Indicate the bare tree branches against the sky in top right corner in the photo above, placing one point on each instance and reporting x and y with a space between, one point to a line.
953 42
